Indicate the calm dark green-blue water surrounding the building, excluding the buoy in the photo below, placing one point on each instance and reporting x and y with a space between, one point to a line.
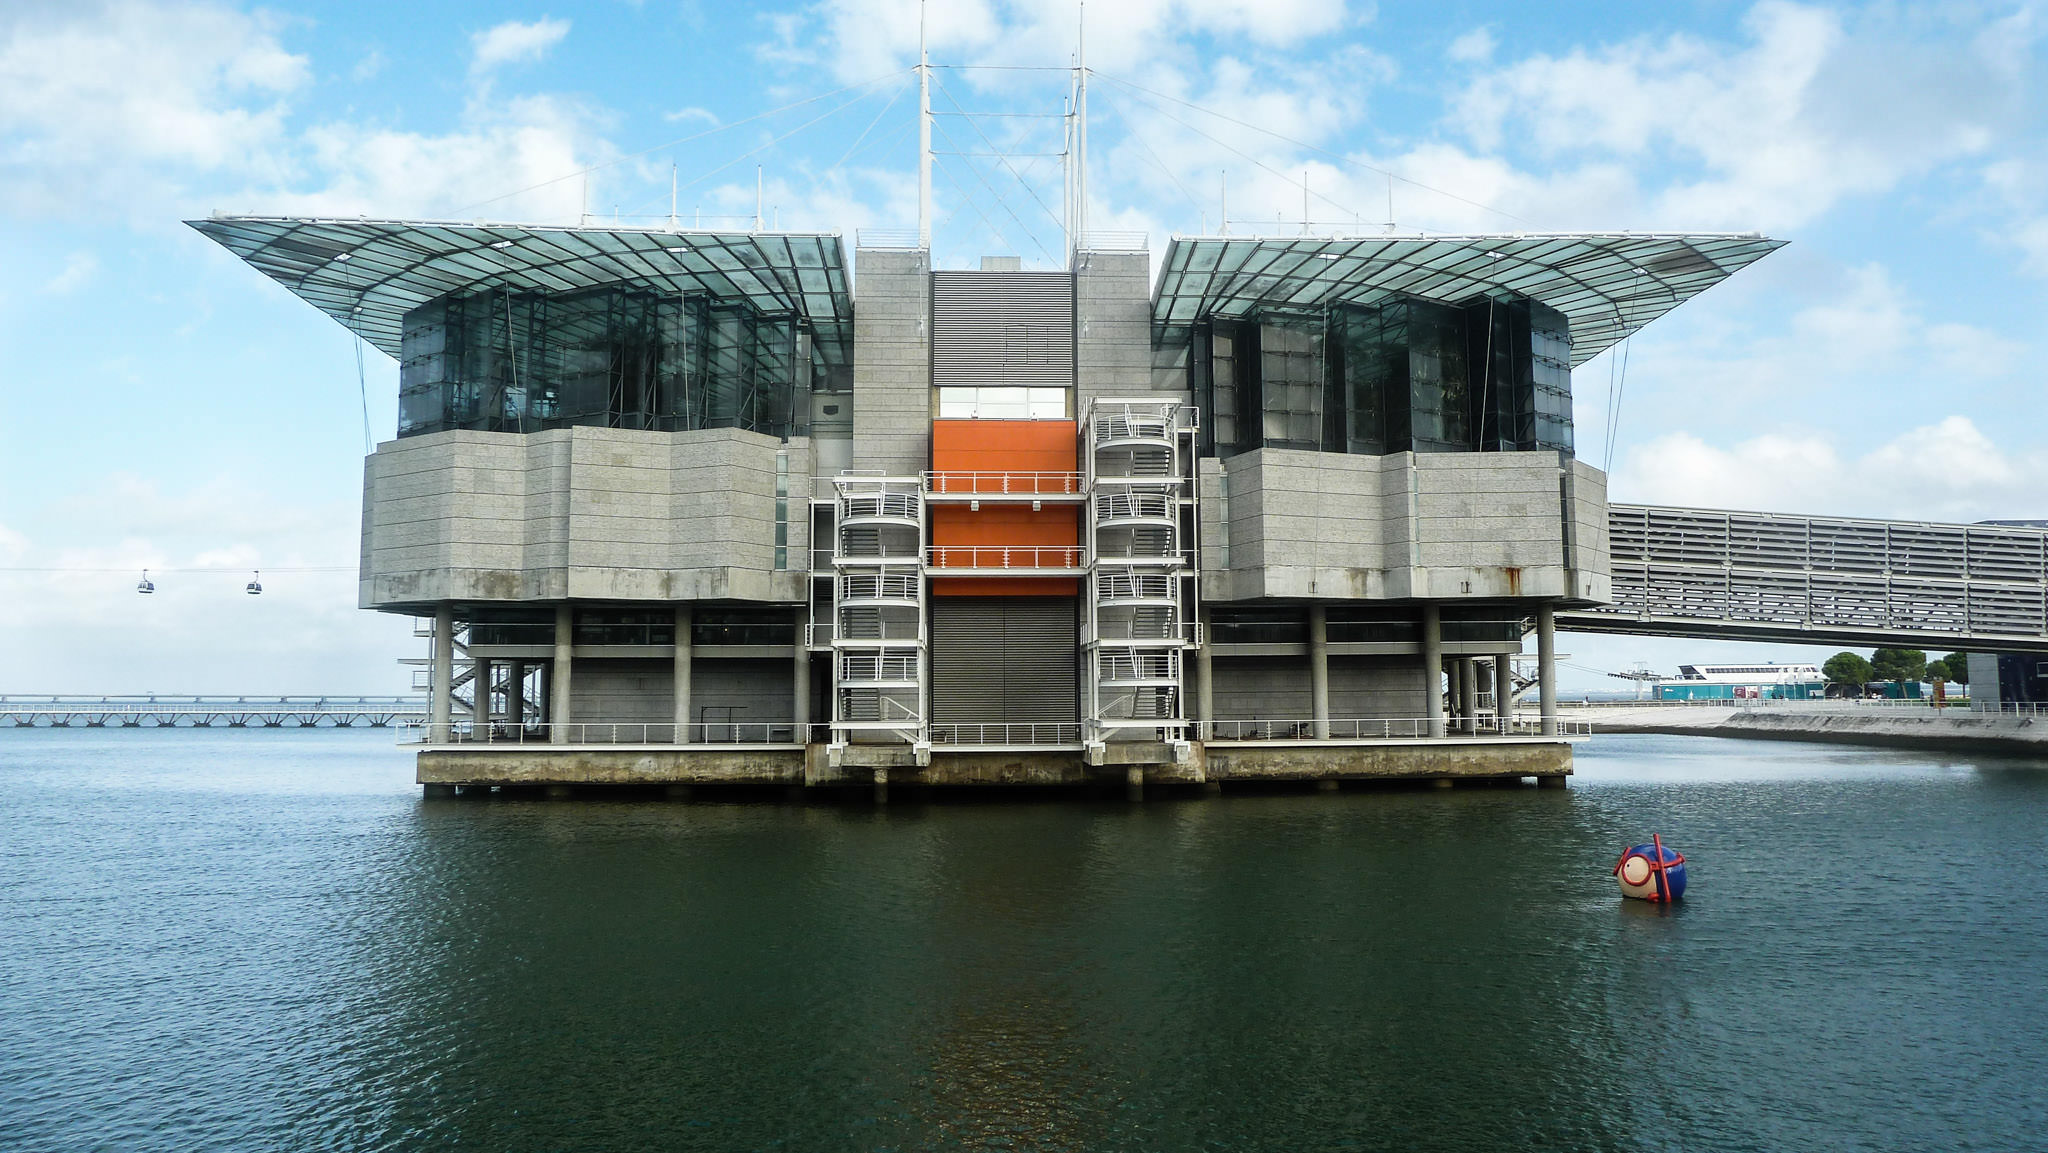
269 941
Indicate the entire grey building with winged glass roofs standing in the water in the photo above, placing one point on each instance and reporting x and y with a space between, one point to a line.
687 507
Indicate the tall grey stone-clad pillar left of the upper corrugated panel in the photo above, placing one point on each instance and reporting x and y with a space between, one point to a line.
894 361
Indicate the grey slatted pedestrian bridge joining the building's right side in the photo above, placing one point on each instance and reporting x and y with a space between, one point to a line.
1760 576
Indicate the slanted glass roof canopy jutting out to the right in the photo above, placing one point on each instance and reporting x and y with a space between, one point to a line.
1609 286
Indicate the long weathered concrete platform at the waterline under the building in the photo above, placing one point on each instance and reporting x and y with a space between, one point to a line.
1154 765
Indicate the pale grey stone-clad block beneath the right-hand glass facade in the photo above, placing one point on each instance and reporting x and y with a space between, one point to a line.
1400 527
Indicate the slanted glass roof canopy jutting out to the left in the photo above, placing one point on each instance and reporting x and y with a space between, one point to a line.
368 275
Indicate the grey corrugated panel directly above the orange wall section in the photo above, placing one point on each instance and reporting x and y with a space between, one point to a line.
1002 329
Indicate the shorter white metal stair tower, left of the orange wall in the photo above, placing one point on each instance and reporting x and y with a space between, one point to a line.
880 634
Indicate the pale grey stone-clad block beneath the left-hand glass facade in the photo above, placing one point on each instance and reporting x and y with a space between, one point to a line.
583 515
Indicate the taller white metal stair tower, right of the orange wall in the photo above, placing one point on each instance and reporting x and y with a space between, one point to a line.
1140 538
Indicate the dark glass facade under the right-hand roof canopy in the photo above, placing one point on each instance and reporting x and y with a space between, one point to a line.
1392 376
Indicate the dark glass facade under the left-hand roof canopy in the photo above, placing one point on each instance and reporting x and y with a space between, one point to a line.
617 357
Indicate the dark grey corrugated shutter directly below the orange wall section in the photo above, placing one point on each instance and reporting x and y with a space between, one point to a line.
1005 658
